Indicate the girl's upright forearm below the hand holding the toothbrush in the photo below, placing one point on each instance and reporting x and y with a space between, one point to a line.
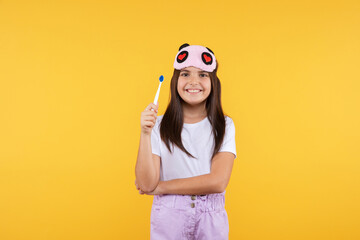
145 169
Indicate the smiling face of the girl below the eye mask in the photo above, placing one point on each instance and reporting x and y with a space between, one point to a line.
194 85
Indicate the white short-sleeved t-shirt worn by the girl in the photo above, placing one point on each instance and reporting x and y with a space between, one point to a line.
198 140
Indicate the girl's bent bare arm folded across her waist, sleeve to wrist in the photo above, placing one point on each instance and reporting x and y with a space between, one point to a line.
214 182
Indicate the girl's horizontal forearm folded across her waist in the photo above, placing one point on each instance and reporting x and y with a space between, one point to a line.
199 185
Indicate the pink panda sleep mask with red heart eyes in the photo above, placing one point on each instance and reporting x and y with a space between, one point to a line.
195 56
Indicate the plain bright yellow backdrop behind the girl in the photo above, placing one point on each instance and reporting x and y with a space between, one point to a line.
75 76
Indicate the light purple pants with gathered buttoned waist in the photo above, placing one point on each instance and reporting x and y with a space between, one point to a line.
189 217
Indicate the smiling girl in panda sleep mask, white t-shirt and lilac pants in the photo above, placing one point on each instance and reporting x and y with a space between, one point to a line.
186 156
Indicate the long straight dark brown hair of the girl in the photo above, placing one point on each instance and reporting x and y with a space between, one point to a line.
173 119
